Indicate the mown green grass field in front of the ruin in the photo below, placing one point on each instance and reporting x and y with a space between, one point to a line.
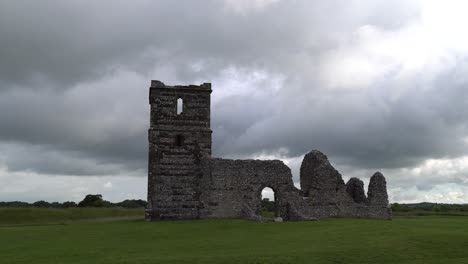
428 239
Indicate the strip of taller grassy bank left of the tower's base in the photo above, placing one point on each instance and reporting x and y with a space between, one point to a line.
12 216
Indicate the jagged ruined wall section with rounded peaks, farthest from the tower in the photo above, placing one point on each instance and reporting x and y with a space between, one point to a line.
328 196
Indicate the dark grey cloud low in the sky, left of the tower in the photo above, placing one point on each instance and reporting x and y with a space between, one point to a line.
82 123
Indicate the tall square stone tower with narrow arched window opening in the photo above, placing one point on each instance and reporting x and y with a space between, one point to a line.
179 137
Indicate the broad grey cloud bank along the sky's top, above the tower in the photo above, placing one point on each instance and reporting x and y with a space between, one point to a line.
62 43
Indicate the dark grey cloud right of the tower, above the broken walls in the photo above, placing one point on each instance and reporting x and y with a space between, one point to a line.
367 128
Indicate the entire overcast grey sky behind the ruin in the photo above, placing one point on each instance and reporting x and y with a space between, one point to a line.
375 85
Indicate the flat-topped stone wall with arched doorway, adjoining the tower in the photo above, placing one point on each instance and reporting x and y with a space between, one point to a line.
232 189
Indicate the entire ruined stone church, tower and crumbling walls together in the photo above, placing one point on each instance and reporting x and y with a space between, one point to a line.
184 182
